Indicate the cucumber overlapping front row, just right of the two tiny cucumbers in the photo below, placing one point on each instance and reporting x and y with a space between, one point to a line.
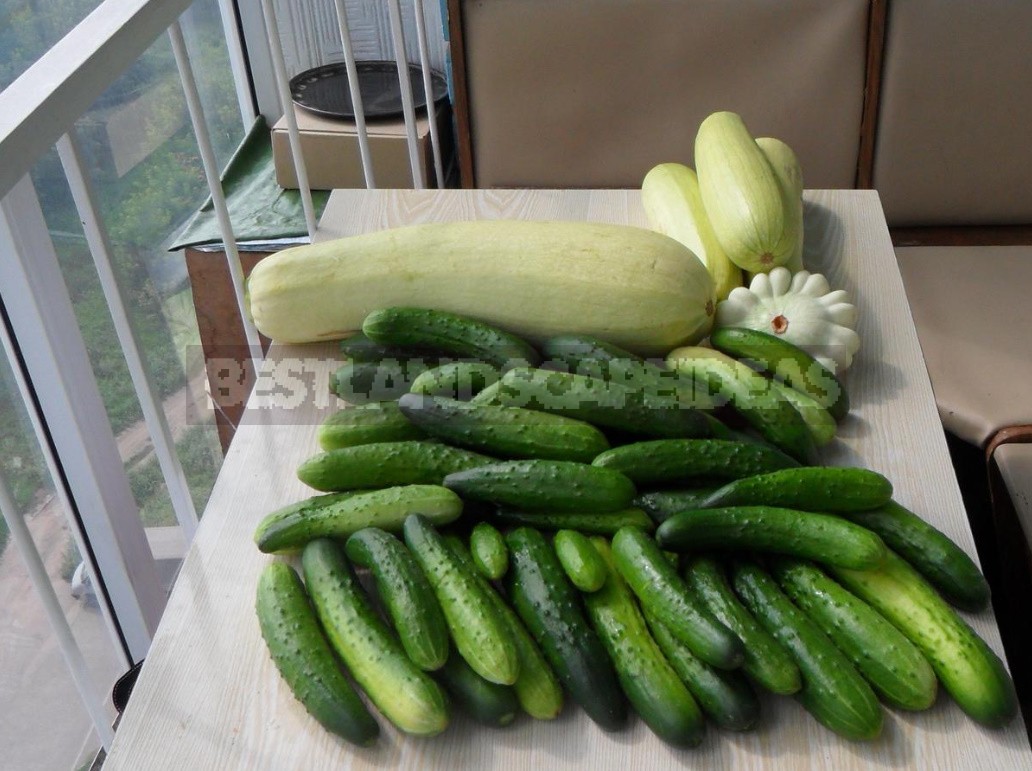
658 587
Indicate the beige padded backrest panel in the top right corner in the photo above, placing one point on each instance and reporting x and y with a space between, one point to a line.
953 142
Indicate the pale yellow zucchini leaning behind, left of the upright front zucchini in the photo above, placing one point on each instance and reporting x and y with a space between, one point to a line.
674 207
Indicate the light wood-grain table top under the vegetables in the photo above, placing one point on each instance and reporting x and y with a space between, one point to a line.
210 698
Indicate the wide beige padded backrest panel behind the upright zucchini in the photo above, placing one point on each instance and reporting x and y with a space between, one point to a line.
593 93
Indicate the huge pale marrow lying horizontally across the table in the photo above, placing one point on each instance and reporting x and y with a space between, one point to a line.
629 286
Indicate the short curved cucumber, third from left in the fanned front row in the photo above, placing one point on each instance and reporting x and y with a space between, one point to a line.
406 595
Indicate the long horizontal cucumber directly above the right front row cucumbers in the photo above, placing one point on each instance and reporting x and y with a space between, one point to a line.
819 537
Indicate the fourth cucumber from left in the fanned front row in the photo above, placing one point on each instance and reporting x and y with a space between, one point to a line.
478 631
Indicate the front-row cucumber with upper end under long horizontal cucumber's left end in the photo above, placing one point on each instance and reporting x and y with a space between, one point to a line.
766 661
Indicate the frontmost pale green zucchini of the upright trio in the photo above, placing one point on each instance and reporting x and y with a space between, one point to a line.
744 198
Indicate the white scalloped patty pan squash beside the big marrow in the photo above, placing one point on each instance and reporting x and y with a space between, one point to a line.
801 309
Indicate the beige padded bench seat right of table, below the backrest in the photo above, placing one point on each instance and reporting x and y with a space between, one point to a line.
974 313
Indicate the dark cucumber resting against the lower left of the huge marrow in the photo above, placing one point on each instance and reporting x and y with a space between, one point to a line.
454 335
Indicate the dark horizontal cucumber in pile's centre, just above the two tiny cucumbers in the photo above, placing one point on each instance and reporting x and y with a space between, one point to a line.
545 486
